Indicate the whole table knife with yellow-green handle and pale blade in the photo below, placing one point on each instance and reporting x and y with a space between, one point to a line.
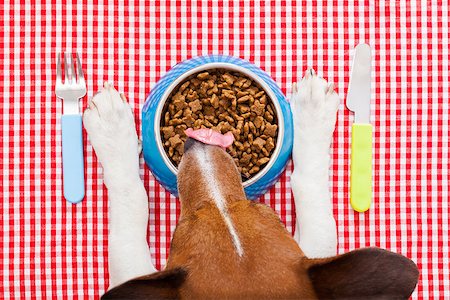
358 101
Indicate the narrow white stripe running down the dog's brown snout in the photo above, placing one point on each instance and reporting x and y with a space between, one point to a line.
208 172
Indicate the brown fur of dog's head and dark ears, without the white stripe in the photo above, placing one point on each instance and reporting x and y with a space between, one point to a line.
203 262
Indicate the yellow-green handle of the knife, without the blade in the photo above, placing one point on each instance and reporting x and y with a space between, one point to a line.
361 167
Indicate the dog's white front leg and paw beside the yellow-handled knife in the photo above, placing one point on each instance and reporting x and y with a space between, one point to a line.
314 105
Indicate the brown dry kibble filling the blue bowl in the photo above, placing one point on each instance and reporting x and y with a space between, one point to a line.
223 101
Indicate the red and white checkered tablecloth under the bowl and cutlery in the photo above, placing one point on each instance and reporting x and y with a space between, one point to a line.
52 249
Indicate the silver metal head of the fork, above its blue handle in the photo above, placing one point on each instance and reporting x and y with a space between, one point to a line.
74 86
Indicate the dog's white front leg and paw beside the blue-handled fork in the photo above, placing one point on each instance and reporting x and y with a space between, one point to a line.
111 129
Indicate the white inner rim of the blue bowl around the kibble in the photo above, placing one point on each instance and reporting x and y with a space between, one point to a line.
236 68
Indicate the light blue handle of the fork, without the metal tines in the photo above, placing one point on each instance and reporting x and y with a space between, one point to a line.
73 163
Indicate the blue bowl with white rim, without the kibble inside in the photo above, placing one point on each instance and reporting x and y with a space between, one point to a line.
154 154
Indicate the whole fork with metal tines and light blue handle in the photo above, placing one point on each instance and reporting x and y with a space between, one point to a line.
71 90
